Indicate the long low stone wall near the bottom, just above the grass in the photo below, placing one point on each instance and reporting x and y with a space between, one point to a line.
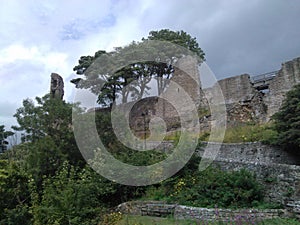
161 209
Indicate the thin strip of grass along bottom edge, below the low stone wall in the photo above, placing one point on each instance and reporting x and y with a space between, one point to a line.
147 220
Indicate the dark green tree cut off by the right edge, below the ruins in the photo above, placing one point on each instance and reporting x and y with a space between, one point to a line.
287 121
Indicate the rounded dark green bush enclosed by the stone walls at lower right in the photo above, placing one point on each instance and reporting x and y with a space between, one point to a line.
215 187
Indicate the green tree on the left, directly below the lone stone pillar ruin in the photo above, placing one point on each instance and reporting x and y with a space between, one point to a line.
49 137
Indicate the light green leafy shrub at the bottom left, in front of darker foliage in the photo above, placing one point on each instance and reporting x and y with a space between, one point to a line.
71 196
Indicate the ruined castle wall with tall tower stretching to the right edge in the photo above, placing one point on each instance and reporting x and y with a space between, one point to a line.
244 103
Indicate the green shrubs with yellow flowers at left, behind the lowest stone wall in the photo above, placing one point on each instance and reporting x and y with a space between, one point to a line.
210 188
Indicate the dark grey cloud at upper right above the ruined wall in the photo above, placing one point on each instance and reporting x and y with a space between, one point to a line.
256 41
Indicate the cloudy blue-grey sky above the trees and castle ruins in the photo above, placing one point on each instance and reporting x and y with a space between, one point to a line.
40 37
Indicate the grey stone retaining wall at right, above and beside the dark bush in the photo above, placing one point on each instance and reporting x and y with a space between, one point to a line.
278 170
